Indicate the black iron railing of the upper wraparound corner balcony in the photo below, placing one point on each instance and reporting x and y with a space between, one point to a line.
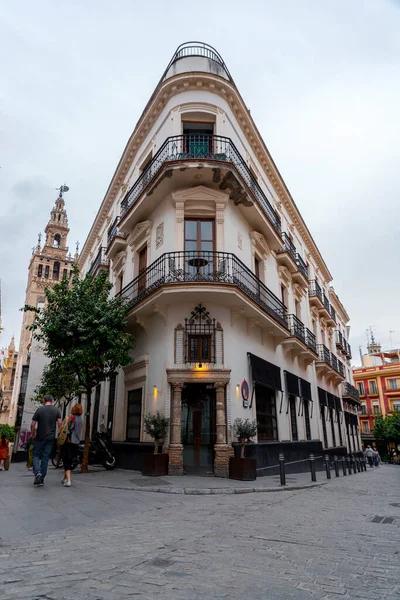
201 147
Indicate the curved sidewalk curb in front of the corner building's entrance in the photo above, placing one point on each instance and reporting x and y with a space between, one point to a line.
214 491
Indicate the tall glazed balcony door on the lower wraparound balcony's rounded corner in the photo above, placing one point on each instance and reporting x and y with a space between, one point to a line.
199 247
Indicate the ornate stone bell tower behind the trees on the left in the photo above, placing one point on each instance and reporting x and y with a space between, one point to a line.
49 263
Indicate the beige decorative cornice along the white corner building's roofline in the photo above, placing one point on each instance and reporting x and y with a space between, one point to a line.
208 82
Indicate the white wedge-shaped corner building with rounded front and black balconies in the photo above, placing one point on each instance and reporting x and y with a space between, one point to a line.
230 303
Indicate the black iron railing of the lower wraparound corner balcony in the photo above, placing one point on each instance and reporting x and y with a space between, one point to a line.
204 267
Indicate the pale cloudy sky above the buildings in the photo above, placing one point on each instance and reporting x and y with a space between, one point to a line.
322 81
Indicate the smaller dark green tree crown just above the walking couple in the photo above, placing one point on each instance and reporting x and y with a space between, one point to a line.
58 381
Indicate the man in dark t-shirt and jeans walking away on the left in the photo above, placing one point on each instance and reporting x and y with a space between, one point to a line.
43 432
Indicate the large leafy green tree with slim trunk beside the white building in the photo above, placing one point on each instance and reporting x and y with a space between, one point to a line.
82 328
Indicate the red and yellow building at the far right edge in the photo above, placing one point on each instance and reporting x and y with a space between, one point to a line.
378 383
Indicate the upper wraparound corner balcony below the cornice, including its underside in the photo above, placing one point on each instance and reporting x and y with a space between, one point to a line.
220 165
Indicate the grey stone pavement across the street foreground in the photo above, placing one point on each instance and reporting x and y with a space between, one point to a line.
340 540
